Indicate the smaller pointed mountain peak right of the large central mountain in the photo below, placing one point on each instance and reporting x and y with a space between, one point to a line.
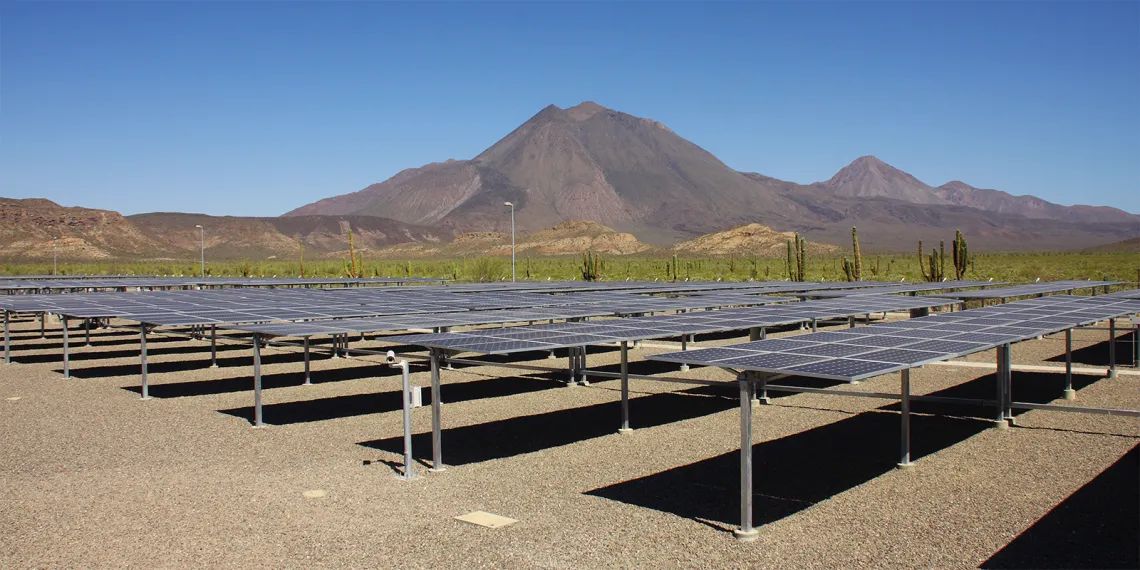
869 177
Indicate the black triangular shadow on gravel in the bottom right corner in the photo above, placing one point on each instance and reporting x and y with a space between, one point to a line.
1096 527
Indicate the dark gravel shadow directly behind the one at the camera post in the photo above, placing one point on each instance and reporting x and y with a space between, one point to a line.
359 405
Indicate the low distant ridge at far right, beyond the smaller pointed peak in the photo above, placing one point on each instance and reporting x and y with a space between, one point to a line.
1031 207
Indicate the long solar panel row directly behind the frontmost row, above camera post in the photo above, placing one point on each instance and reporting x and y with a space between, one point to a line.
580 335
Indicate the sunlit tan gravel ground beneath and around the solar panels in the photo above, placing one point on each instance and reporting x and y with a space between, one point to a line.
94 477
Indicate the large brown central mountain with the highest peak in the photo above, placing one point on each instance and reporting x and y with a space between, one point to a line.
583 164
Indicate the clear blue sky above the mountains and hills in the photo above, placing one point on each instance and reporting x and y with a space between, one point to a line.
255 109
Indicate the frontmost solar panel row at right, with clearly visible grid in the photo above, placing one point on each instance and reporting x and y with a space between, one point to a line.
857 354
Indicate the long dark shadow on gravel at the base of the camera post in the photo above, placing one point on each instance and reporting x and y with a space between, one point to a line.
517 436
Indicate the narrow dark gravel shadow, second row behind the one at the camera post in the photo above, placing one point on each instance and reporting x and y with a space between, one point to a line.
268 381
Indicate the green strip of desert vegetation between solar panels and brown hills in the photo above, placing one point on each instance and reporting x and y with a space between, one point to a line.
999 267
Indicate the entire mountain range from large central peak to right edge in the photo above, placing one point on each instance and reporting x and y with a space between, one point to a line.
636 175
